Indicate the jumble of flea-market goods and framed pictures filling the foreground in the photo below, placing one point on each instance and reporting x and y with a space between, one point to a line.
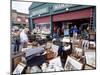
54 55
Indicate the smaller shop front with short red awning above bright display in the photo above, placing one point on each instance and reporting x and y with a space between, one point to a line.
43 24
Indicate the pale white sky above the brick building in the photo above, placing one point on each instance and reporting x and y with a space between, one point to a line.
21 6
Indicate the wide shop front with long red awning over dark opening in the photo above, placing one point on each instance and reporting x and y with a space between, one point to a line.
80 18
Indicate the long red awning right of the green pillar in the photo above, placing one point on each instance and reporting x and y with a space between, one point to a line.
86 13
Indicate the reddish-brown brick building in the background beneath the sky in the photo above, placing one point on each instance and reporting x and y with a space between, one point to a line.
19 19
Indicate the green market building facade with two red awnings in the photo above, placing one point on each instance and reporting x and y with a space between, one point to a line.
51 15
